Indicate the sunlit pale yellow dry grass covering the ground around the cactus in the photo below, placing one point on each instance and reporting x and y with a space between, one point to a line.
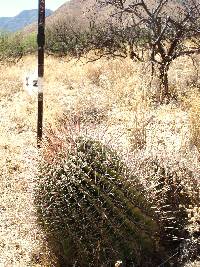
109 100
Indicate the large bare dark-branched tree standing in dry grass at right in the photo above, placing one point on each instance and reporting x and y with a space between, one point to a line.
168 28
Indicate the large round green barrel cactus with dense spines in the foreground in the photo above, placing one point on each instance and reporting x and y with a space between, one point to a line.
93 212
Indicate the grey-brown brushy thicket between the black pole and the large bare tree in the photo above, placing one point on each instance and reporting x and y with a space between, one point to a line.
70 37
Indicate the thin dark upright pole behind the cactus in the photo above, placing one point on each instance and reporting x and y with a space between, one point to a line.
41 43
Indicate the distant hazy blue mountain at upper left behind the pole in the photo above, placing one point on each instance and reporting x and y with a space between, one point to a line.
23 19
